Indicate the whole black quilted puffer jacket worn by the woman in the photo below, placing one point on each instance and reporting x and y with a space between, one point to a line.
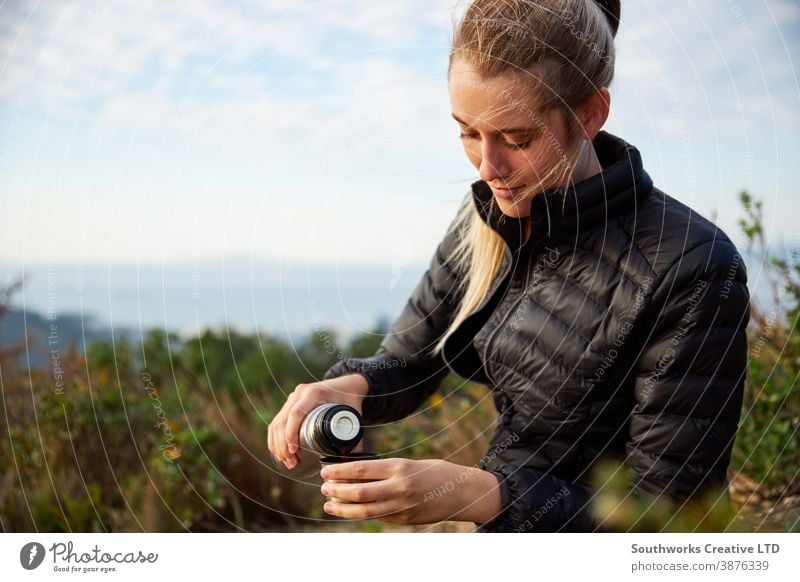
616 330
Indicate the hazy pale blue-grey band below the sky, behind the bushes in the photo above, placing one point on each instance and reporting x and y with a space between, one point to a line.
284 299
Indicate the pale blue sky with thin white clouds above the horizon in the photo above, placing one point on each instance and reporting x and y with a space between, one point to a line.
321 131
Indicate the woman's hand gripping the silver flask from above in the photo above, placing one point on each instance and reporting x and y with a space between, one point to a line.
284 431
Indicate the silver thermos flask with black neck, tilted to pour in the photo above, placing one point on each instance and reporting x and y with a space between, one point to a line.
329 429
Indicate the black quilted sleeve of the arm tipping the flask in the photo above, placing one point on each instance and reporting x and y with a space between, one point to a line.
401 374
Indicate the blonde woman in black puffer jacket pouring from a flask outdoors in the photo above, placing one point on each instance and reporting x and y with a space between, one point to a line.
607 317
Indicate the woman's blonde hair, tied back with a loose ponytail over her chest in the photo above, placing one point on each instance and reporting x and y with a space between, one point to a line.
567 48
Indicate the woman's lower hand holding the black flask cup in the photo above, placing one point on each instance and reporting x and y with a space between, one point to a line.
412 492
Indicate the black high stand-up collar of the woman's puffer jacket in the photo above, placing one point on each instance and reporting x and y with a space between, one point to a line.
571 209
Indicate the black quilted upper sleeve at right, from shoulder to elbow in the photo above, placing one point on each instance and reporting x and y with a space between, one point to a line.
689 378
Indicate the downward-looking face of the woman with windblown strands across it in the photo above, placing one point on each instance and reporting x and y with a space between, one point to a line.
514 148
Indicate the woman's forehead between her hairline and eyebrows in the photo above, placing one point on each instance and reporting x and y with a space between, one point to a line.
508 99
